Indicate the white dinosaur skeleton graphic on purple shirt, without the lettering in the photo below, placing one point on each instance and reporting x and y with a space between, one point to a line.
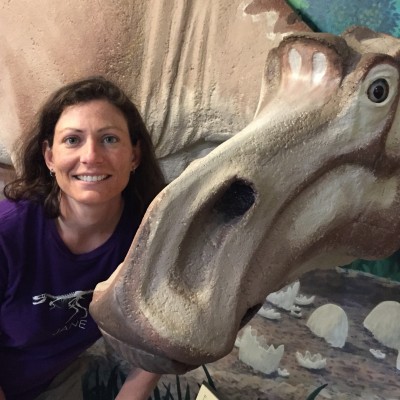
69 300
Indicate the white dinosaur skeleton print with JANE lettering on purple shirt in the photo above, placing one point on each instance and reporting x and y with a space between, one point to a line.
70 301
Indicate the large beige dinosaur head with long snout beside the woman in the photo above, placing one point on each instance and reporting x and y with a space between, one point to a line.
312 181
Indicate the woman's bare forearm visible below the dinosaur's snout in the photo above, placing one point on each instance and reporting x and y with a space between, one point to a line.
138 385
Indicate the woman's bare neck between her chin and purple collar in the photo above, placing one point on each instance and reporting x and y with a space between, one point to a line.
83 228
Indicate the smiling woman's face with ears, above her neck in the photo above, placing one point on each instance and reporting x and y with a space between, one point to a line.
92 154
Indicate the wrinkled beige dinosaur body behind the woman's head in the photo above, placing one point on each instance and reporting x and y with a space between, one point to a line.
181 62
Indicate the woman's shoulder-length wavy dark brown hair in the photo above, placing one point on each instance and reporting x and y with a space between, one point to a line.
34 181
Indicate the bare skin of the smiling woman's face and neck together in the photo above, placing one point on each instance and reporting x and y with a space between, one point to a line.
92 158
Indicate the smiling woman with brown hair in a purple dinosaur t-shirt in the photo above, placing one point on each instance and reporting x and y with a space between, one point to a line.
87 174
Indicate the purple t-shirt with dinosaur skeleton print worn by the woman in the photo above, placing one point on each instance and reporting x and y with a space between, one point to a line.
45 291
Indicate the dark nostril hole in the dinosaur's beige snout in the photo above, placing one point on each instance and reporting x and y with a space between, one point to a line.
235 201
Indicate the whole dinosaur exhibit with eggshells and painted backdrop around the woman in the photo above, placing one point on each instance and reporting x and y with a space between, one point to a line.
270 257
